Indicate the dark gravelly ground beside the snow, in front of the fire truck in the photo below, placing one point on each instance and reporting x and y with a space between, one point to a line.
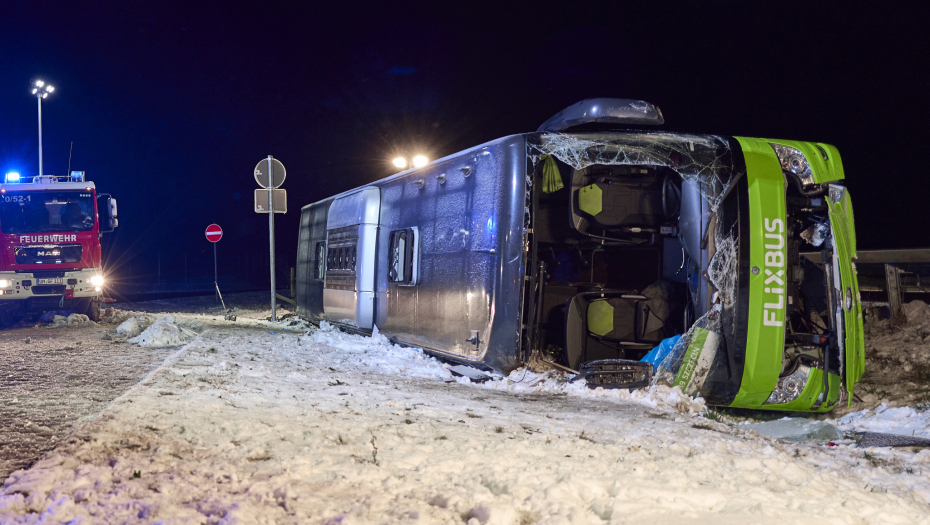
54 379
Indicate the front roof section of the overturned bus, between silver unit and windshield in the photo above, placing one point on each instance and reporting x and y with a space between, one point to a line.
470 242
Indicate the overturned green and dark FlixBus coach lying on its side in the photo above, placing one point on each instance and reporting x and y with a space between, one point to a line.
597 241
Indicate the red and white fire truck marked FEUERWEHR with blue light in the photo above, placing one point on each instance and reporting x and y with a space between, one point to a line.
50 230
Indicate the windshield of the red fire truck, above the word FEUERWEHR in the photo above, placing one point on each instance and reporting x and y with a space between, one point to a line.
46 211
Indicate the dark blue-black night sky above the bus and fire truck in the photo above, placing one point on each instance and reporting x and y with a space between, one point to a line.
170 107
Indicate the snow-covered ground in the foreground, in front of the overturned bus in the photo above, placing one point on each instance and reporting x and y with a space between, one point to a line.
259 422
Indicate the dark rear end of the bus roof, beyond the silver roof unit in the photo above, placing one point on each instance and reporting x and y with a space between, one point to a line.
309 283
